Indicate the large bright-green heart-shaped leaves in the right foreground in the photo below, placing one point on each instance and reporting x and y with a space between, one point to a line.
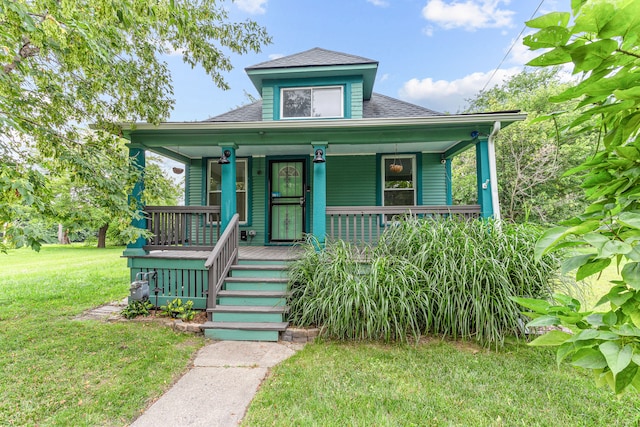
602 43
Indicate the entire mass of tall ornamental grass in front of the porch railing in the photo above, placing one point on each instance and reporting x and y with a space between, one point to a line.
441 276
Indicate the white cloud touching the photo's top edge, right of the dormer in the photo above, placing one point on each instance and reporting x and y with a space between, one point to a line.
470 14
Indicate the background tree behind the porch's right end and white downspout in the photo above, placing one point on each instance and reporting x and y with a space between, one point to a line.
529 157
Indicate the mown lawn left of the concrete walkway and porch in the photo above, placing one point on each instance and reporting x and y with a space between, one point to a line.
55 370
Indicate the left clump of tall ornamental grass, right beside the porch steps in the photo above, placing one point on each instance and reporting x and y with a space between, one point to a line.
354 298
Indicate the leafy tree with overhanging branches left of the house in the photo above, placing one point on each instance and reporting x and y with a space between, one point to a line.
66 63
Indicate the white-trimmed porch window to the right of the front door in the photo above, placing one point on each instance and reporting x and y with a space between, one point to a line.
399 180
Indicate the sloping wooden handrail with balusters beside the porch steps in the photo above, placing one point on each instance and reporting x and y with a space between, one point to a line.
222 257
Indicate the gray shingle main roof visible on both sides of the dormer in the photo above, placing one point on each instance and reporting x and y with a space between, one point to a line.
378 107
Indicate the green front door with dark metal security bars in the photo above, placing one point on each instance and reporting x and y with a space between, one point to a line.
287 200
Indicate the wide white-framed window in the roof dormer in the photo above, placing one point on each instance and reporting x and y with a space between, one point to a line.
312 102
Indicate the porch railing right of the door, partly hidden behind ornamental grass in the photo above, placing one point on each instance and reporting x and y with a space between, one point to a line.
365 224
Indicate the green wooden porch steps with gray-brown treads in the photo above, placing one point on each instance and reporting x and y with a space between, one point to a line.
252 303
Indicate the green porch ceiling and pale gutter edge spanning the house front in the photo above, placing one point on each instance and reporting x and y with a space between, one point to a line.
184 141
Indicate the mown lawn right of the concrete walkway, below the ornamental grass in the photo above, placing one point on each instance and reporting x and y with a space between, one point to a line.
437 383
